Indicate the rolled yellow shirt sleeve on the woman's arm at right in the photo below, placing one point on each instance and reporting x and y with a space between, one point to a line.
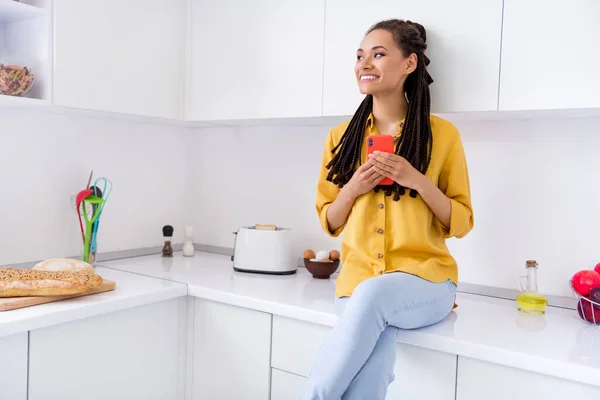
454 183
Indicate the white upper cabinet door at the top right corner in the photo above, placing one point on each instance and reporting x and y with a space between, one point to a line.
550 54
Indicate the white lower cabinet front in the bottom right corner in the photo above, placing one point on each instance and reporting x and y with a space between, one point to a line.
481 380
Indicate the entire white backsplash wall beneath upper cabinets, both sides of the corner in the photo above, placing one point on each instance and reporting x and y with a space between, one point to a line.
534 184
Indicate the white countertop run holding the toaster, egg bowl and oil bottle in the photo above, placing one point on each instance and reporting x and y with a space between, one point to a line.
558 343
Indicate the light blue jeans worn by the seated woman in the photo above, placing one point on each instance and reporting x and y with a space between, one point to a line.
357 359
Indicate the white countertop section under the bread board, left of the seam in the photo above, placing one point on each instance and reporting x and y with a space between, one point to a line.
131 291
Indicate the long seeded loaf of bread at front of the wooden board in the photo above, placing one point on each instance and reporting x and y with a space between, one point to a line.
25 282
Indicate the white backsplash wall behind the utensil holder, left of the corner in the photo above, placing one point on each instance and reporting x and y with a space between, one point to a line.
45 158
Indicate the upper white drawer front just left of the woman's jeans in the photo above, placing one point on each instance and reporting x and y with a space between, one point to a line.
296 344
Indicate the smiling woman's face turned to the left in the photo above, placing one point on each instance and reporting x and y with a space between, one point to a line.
381 67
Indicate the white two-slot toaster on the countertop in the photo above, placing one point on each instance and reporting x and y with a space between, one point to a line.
264 249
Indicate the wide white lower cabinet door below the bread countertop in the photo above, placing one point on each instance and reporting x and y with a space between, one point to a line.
129 354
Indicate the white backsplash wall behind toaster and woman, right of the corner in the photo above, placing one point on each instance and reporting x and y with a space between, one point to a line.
534 183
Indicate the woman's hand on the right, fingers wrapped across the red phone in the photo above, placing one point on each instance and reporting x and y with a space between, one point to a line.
397 168
